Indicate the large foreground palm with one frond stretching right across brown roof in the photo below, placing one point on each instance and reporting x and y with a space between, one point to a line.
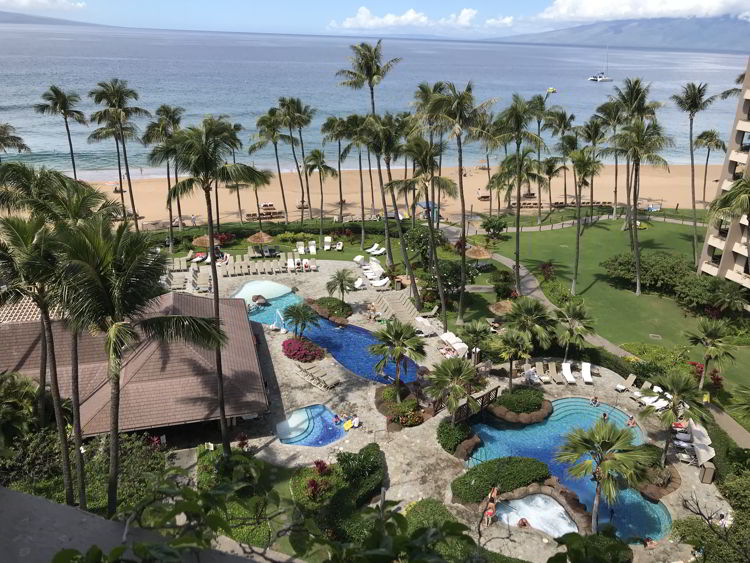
114 276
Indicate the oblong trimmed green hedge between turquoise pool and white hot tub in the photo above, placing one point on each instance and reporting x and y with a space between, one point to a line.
505 473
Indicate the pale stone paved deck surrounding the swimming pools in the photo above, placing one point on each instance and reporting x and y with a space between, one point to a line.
417 466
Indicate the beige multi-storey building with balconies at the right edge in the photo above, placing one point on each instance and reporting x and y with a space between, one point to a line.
725 251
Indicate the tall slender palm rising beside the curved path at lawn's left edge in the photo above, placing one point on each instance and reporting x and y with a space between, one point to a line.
517 118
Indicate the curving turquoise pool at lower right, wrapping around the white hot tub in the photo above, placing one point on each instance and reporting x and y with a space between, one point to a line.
634 516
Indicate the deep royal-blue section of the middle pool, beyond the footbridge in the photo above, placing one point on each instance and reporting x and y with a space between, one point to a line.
350 346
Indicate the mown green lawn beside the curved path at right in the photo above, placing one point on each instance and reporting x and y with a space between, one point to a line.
620 315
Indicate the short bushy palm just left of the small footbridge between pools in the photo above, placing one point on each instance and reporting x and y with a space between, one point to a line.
451 381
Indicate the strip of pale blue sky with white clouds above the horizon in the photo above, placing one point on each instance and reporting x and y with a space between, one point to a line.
471 18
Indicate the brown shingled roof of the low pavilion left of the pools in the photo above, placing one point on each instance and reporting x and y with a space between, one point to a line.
161 384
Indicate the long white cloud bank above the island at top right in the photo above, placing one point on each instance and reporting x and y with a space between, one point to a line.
580 10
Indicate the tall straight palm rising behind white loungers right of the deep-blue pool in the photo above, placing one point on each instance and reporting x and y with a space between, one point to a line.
457 111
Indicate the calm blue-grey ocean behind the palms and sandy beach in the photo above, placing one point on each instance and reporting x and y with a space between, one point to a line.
242 75
